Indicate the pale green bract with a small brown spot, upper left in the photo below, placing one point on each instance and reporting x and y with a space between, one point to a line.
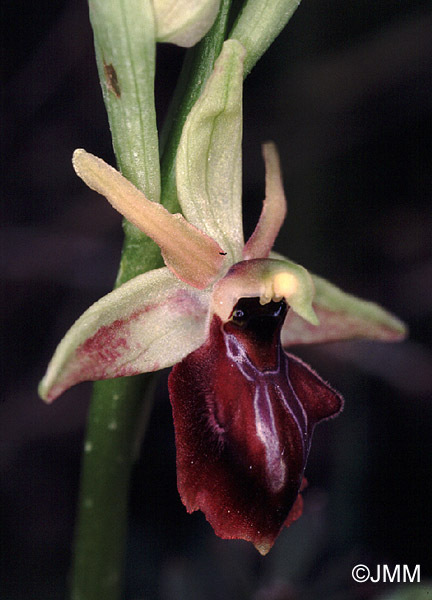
125 35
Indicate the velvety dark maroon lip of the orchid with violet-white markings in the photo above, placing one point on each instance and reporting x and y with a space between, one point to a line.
244 412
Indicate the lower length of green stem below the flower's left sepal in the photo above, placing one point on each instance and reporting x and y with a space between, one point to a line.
109 449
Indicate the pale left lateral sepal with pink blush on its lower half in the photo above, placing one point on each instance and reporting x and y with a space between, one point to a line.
148 323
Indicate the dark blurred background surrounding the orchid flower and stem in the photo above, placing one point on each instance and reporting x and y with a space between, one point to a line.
346 93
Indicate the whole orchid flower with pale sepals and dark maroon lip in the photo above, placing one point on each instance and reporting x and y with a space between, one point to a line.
221 312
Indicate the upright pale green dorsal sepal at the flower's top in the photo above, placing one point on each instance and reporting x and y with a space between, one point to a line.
208 165
